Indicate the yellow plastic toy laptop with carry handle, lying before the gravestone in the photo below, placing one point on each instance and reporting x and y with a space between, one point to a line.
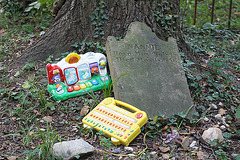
118 123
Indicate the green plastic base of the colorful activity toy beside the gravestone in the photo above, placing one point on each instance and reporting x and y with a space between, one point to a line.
65 95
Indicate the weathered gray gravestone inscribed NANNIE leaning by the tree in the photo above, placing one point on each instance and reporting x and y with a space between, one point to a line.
154 80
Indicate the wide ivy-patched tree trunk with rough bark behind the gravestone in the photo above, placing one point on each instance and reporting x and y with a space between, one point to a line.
75 23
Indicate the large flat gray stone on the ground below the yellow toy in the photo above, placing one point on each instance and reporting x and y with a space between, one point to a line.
70 149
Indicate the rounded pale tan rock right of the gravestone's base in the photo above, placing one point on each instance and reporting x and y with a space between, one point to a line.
211 134
